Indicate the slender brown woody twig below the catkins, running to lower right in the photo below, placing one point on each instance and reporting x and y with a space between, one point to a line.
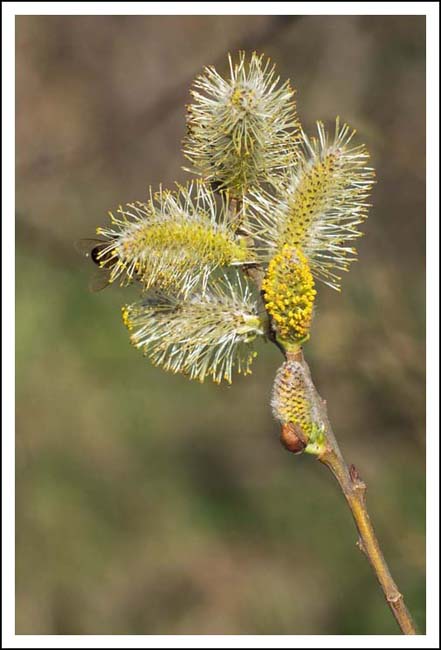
354 490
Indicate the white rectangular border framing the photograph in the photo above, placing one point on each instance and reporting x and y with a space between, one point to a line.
12 9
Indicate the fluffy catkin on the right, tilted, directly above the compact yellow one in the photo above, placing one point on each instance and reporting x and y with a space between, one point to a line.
319 205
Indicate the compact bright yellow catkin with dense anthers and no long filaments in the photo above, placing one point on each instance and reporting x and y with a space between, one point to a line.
289 293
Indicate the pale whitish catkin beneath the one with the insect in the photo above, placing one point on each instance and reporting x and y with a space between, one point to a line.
209 334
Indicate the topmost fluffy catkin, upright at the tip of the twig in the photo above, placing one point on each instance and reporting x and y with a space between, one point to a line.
242 128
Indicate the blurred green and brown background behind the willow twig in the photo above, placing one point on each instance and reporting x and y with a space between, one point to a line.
147 504
